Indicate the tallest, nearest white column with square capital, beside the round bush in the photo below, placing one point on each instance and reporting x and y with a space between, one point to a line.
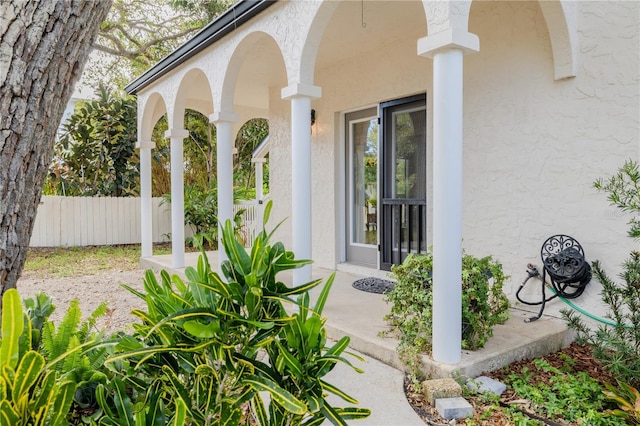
447 50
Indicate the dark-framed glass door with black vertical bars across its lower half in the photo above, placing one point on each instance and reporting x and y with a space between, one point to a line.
403 192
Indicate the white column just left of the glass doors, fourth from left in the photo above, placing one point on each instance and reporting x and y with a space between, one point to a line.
300 96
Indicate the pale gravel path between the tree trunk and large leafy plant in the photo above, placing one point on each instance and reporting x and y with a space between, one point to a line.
90 290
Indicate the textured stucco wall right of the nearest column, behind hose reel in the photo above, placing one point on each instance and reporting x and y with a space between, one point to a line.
533 146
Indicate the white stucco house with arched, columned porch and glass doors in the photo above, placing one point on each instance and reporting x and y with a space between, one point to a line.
436 123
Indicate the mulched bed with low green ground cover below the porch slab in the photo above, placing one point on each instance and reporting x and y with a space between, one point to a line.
563 388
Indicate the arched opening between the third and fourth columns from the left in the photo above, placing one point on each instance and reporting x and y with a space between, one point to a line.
251 89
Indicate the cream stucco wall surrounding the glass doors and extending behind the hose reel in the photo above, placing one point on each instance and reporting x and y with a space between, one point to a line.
533 146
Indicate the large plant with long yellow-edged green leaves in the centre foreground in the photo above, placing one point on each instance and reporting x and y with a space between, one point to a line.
200 348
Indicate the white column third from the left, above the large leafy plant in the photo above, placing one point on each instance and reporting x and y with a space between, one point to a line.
225 142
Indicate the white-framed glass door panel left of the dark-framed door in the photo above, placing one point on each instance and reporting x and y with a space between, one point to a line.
361 135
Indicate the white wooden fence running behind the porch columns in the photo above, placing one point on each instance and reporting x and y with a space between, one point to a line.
89 221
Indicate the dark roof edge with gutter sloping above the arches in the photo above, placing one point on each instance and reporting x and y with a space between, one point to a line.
234 17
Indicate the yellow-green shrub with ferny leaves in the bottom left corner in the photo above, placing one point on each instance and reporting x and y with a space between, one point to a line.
43 368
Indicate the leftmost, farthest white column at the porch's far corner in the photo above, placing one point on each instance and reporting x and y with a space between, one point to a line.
146 213
